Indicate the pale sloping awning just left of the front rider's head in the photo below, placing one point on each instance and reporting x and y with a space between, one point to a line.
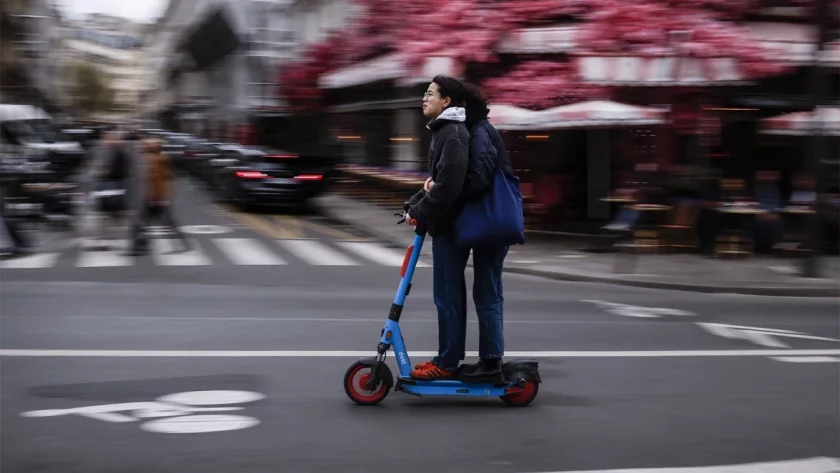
387 67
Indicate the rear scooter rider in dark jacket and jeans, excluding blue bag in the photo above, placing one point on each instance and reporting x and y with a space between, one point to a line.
487 152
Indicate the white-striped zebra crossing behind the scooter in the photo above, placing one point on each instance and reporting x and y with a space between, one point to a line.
215 251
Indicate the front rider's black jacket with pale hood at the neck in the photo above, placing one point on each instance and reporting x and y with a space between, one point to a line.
437 209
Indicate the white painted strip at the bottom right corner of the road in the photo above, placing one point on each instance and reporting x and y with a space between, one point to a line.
807 465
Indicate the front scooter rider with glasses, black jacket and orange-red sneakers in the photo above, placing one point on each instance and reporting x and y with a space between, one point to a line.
435 208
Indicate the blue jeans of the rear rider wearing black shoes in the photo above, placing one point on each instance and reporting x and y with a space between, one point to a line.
489 300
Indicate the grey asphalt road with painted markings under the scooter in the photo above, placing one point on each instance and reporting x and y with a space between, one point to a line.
665 380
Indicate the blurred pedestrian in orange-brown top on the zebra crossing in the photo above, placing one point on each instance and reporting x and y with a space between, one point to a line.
156 203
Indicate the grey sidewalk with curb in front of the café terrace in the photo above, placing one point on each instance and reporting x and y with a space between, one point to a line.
565 260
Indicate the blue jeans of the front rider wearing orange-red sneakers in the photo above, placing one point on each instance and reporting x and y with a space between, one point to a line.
449 262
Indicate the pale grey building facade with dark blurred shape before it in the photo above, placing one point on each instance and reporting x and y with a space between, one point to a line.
219 60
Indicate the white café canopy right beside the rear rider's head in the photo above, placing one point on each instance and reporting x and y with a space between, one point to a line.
592 114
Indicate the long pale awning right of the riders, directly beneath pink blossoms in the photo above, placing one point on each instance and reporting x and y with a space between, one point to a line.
658 71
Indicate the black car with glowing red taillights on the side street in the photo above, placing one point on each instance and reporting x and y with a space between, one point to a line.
263 176
